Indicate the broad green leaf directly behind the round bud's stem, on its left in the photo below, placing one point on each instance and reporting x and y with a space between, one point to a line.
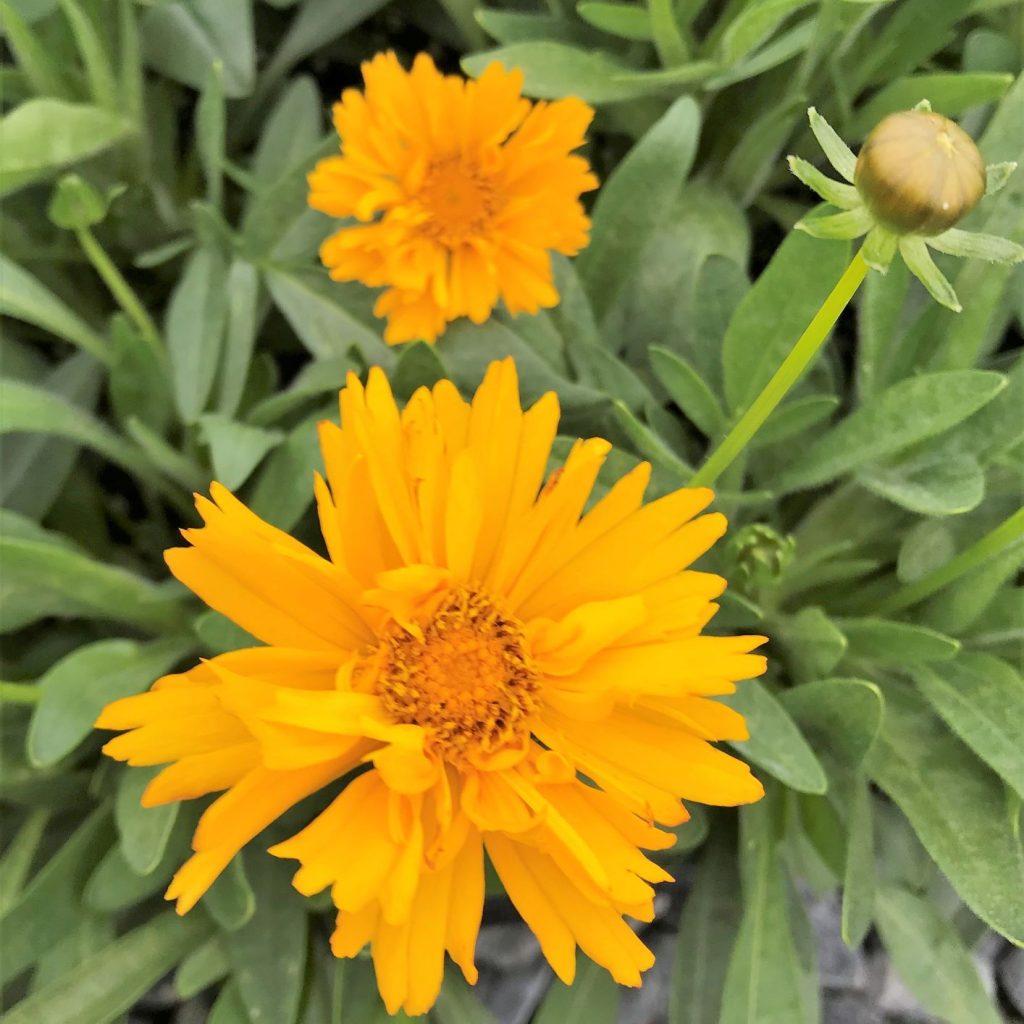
776 312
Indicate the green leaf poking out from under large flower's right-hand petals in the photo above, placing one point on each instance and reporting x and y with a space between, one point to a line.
777 744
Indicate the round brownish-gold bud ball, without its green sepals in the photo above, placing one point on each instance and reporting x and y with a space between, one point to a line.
920 174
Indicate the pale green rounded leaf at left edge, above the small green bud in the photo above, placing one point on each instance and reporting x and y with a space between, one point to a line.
44 136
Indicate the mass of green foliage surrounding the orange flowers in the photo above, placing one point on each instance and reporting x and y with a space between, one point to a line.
166 322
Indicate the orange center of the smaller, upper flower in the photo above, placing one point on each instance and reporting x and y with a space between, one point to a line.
459 199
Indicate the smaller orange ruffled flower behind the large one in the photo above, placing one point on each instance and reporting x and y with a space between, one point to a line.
463 190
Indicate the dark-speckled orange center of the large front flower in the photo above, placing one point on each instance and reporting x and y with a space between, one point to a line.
468 681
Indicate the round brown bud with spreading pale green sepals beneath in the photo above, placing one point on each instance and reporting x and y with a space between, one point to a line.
917 176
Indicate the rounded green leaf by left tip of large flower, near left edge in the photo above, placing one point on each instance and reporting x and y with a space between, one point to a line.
77 689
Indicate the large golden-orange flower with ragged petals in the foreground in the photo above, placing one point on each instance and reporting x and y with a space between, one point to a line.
480 665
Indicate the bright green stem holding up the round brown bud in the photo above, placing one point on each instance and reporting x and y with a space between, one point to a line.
789 373
